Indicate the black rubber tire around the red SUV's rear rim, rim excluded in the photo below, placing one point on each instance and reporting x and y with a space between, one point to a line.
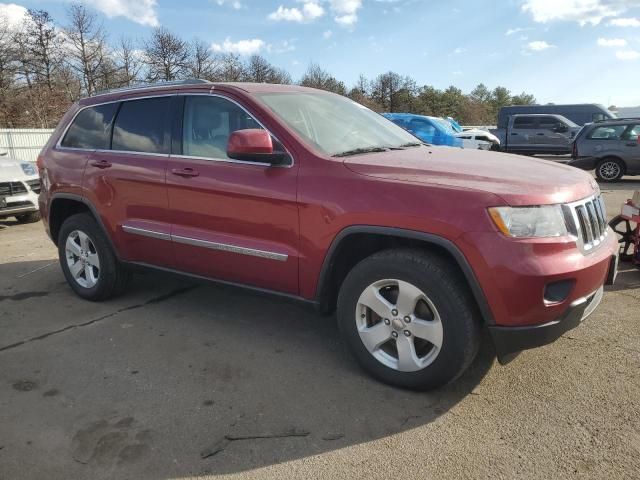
113 276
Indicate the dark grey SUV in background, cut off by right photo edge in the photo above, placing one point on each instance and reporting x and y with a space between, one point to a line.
611 147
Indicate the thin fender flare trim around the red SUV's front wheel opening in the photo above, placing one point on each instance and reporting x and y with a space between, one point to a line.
428 238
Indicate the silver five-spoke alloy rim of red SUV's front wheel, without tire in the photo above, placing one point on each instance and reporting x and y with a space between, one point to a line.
399 325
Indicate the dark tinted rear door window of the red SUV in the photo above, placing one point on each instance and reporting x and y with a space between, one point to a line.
141 126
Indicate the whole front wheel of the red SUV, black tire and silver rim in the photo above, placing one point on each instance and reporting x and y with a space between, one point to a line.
409 319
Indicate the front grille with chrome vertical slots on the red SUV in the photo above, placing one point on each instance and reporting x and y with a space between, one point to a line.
588 222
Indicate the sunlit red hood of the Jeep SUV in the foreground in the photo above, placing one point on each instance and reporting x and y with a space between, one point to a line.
516 179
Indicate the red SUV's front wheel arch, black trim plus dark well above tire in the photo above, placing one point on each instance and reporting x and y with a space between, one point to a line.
355 243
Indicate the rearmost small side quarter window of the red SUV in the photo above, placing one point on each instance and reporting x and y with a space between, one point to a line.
91 129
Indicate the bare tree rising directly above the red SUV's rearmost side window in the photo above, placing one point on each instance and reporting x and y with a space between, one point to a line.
86 46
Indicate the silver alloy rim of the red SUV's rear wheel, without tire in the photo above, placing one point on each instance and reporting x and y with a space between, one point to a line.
82 259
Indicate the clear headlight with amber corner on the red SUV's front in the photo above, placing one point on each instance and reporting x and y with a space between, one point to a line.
519 222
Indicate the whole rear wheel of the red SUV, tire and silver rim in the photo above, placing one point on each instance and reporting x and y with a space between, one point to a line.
87 260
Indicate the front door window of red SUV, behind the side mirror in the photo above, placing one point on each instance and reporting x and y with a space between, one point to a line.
208 122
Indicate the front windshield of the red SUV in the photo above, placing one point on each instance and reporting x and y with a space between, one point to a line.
336 125
